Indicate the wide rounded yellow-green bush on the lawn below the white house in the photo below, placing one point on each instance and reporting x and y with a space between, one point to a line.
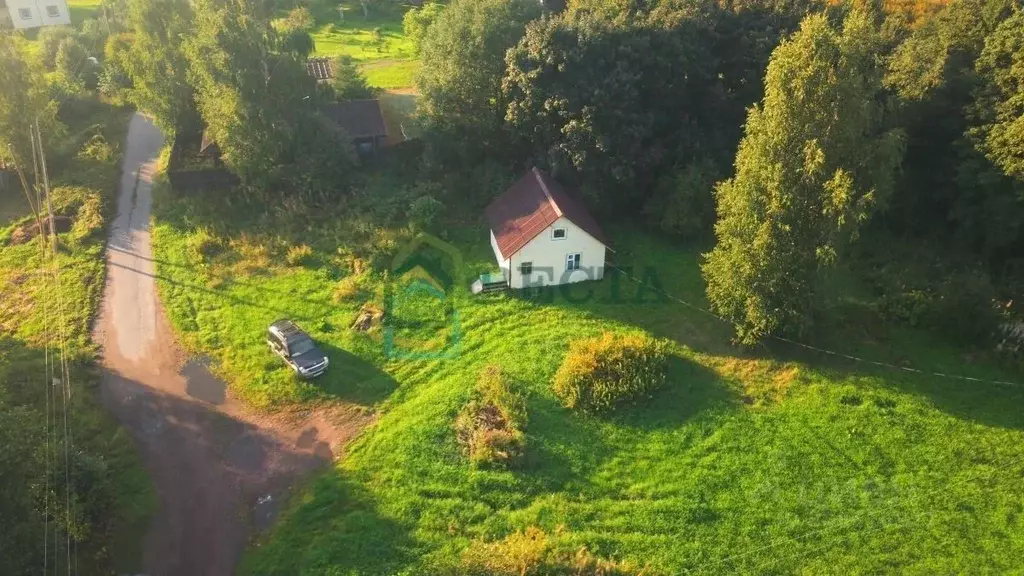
599 374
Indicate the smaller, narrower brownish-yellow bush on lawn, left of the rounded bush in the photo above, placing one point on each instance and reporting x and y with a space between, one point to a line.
491 426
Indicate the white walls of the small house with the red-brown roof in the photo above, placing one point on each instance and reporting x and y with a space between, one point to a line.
549 256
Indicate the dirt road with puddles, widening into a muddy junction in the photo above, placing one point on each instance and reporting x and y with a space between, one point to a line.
220 470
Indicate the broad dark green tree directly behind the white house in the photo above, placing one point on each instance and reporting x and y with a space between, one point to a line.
619 100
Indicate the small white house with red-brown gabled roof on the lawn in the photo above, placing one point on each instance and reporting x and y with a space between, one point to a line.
541 236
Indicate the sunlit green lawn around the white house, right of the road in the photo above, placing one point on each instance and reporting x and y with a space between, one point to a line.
771 463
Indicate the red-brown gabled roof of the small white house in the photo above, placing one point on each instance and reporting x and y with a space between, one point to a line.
530 207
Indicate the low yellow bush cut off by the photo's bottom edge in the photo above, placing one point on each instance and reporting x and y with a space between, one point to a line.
534 553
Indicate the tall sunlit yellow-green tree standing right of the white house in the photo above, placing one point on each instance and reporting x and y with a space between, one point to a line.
816 160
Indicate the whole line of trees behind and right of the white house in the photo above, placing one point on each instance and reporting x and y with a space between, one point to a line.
783 131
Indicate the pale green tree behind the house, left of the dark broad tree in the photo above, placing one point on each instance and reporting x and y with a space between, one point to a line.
463 62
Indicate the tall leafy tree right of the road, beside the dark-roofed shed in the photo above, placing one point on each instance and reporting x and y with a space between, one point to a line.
261 105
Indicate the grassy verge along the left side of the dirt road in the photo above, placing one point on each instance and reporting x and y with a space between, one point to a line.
86 171
